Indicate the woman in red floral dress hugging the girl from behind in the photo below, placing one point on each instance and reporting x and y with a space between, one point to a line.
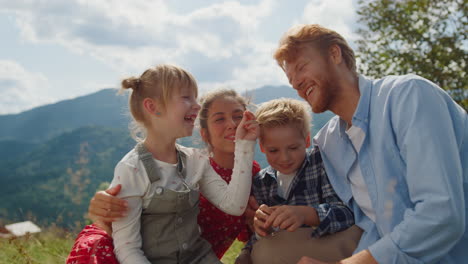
221 112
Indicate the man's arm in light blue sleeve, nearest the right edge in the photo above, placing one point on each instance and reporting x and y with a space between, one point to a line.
424 132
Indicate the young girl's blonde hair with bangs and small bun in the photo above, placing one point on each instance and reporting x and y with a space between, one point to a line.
159 83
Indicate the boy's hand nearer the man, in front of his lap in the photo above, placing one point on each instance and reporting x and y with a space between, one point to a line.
291 217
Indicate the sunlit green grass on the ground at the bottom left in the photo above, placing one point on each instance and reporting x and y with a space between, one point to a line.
53 246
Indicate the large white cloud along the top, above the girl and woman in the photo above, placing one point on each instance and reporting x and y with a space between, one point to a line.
136 33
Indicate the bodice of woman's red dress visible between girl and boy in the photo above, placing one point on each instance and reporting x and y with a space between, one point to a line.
219 228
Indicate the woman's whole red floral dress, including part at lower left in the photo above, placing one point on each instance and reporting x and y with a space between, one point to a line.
94 246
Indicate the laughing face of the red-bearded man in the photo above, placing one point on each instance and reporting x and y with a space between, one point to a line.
312 76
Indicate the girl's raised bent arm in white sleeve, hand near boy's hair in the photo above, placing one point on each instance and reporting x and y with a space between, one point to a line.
233 198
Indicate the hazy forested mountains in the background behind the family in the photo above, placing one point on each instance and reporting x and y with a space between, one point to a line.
53 158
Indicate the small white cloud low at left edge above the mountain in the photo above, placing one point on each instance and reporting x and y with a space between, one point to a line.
21 89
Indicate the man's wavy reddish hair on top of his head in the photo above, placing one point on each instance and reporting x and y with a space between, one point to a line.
316 36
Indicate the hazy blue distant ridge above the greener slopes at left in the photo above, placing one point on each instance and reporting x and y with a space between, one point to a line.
103 108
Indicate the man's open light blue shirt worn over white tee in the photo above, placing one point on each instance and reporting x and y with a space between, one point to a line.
414 160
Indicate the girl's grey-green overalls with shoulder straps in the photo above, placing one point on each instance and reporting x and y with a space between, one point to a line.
169 227
